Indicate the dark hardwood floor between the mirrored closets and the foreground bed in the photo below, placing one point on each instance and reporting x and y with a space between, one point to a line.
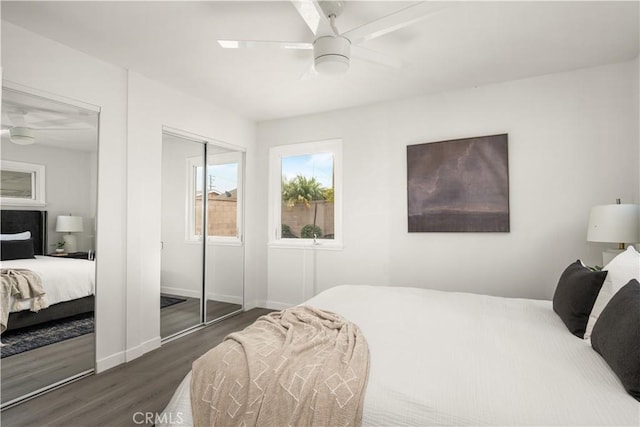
144 385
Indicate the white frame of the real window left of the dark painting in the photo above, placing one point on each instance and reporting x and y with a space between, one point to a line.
276 153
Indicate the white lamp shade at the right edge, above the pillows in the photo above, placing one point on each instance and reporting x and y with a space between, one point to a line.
614 223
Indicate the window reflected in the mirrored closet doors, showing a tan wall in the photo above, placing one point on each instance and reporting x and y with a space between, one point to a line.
224 197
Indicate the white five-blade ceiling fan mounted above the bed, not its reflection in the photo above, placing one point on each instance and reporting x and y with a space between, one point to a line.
332 50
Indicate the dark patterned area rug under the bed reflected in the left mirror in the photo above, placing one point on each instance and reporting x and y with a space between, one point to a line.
26 339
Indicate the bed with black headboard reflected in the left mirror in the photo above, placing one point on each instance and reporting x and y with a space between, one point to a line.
68 283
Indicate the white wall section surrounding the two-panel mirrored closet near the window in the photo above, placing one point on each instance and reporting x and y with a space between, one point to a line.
151 106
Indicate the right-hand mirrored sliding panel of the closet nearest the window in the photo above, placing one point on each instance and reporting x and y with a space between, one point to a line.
225 246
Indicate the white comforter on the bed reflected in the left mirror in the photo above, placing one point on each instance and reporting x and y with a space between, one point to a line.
63 279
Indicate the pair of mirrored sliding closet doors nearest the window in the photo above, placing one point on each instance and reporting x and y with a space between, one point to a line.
202 232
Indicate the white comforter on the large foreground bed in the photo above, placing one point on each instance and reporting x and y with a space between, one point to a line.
480 360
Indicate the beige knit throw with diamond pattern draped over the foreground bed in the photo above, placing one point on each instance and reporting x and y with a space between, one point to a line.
297 367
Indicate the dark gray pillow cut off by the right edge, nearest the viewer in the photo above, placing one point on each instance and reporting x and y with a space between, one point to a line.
616 336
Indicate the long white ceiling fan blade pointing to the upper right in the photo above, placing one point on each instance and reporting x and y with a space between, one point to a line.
393 22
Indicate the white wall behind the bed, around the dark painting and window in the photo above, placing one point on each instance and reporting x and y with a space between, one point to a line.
573 143
